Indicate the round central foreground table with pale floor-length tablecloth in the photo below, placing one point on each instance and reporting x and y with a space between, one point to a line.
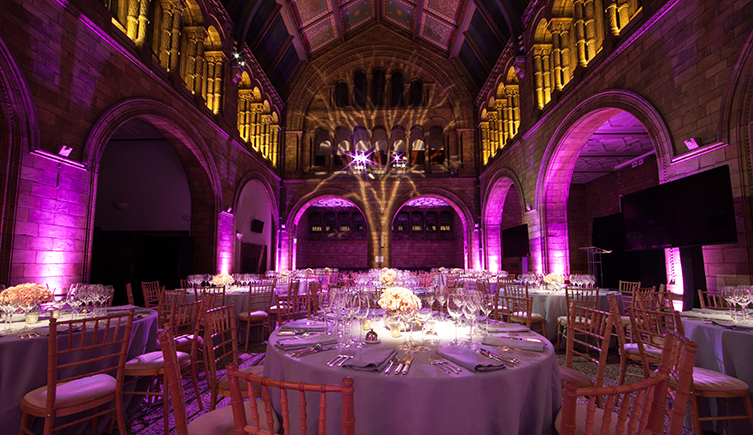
522 399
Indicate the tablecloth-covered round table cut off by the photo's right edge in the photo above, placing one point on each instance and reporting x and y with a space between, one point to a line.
723 347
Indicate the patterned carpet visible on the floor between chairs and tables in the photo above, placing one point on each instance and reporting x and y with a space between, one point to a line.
150 421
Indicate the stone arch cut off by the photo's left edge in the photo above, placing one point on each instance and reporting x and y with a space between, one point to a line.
19 134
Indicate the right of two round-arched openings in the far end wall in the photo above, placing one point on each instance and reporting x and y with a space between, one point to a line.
427 233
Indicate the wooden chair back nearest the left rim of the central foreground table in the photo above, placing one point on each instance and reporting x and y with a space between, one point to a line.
220 344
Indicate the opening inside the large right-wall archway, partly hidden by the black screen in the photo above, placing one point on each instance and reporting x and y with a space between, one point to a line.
611 155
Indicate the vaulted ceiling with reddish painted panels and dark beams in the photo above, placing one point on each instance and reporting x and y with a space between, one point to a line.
286 34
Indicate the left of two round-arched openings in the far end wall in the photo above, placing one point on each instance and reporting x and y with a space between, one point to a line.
332 232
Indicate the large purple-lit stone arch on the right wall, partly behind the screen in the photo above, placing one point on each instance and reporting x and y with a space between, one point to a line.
561 154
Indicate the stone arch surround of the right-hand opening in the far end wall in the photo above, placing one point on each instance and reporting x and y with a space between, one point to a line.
457 204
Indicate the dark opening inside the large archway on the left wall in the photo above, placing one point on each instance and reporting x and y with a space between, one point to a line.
142 222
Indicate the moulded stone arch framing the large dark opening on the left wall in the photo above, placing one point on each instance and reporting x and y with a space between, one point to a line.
201 170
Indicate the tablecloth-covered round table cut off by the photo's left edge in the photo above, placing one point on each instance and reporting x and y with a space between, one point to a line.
23 367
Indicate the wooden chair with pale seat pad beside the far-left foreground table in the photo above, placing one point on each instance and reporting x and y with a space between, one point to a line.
87 347
